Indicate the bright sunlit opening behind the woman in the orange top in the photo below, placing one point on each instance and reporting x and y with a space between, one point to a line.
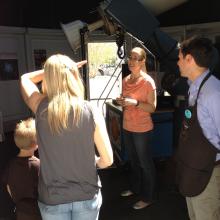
104 73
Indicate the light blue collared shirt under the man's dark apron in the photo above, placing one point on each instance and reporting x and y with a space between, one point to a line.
208 107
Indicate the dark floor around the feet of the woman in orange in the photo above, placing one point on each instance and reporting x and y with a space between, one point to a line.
169 205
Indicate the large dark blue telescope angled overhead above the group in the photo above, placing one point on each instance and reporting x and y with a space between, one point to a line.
136 18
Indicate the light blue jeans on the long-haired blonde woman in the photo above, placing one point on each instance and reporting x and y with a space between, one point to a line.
79 210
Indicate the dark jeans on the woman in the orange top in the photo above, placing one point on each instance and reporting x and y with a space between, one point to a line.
142 173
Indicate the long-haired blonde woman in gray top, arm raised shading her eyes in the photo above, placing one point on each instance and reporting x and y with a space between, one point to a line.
68 128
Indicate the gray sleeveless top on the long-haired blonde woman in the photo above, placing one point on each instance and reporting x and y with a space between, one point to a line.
68 170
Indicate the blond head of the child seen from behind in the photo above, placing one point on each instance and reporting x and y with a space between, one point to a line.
25 134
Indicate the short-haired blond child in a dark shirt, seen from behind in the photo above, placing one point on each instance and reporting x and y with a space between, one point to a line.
21 175
